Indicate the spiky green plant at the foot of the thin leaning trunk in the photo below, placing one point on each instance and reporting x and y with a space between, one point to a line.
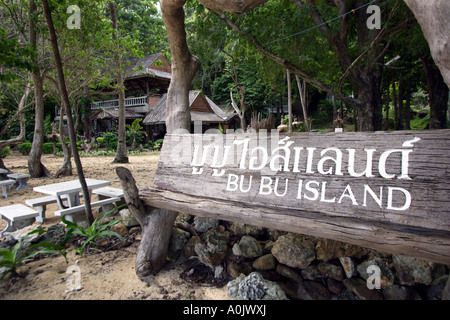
98 229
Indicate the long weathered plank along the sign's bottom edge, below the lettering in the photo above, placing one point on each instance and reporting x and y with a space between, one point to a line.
418 242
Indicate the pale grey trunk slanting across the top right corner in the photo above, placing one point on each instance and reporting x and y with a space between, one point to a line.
434 18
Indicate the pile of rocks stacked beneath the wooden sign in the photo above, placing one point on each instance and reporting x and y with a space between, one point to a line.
304 267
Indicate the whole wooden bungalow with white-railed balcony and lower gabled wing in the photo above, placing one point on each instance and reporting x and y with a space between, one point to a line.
146 83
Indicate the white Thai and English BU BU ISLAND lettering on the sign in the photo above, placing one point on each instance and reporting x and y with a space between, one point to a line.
288 158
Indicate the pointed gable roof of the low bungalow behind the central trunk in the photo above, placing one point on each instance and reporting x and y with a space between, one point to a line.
212 114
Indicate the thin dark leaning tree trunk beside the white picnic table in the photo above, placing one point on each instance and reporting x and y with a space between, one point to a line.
66 103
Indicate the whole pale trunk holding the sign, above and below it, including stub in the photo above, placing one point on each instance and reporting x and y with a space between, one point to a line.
157 223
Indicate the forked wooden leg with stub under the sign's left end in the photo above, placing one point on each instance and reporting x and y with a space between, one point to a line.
156 227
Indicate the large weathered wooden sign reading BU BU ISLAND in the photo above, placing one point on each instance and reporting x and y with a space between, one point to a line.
384 190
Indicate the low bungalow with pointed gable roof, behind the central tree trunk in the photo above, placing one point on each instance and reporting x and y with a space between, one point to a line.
203 111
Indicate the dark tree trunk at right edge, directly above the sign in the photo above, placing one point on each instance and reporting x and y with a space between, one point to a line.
437 93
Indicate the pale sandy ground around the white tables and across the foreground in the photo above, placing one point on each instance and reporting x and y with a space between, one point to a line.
107 275
